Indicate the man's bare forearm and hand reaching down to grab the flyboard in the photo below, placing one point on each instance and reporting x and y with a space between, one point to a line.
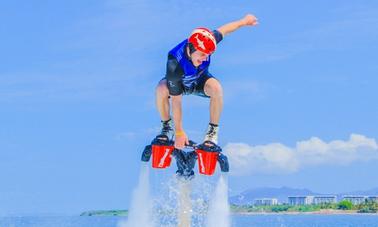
180 139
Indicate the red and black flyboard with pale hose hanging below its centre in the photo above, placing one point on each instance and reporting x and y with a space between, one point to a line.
207 155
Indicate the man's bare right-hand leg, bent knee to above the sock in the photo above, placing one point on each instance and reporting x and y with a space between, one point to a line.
214 89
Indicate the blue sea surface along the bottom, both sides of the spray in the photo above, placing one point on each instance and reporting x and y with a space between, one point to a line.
237 221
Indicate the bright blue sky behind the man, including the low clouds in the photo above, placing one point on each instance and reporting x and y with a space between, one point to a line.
77 96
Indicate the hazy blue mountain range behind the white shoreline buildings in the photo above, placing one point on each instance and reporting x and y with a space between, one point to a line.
248 196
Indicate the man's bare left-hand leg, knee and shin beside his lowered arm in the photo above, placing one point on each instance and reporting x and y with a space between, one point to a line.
162 100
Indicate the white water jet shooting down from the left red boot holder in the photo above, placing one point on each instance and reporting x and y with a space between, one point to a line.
141 205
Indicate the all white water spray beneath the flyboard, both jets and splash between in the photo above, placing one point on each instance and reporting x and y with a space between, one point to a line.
177 205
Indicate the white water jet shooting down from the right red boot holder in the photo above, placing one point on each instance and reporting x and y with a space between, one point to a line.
219 209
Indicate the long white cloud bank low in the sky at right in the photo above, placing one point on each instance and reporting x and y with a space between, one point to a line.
276 158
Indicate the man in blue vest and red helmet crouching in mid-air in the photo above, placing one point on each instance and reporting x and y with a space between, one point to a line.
187 73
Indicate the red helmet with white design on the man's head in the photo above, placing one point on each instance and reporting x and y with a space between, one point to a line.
203 40
